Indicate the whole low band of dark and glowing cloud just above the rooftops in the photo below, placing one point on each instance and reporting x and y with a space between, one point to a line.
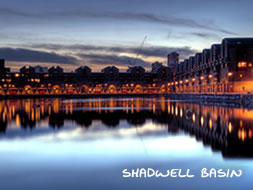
93 56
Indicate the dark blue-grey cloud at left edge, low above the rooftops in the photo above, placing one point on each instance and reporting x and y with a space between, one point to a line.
27 55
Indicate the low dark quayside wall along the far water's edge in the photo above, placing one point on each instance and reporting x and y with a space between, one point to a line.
232 100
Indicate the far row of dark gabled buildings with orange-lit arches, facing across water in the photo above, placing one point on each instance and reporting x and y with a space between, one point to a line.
53 81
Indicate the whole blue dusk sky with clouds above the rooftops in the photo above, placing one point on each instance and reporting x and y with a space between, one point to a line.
99 33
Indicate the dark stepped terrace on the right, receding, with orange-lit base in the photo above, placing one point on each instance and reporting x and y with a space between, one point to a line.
224 68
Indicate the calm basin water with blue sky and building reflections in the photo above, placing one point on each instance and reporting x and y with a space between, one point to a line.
86 143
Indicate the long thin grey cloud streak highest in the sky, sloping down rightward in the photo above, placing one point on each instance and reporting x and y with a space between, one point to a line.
128 16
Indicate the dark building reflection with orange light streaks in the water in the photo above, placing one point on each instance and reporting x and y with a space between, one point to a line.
224 129
